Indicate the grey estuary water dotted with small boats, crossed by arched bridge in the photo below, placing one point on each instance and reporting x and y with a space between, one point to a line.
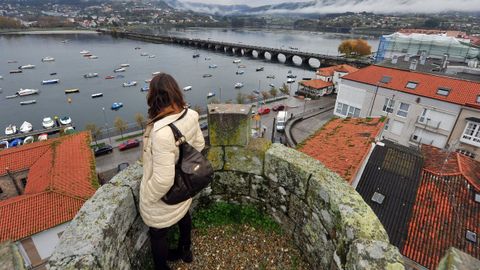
70 66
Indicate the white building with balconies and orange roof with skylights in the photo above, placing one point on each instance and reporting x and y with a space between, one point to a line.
419 108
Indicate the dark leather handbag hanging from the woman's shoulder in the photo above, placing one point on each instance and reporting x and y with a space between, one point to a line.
193 171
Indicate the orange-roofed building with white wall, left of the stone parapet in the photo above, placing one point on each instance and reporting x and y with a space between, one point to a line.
42 187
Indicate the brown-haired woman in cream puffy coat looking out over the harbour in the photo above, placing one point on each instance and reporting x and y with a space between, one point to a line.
160 154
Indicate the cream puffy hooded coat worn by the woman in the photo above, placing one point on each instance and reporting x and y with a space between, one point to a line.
160 155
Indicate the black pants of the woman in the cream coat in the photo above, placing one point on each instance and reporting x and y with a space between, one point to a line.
158 240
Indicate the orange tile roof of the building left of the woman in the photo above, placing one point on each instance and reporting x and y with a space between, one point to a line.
59 182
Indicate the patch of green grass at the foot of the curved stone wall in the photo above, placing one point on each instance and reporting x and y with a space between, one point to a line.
221 214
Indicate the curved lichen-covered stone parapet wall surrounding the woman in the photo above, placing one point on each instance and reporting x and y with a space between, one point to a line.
328 220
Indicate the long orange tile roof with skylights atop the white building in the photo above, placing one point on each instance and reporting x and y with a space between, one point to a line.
462 92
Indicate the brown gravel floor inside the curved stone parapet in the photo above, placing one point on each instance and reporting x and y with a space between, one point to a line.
241 247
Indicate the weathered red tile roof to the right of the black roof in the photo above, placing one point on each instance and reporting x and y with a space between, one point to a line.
444 208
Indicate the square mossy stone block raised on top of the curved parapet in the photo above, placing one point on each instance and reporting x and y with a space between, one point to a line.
229 124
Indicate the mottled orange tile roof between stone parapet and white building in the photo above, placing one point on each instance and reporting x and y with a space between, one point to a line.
347 142
